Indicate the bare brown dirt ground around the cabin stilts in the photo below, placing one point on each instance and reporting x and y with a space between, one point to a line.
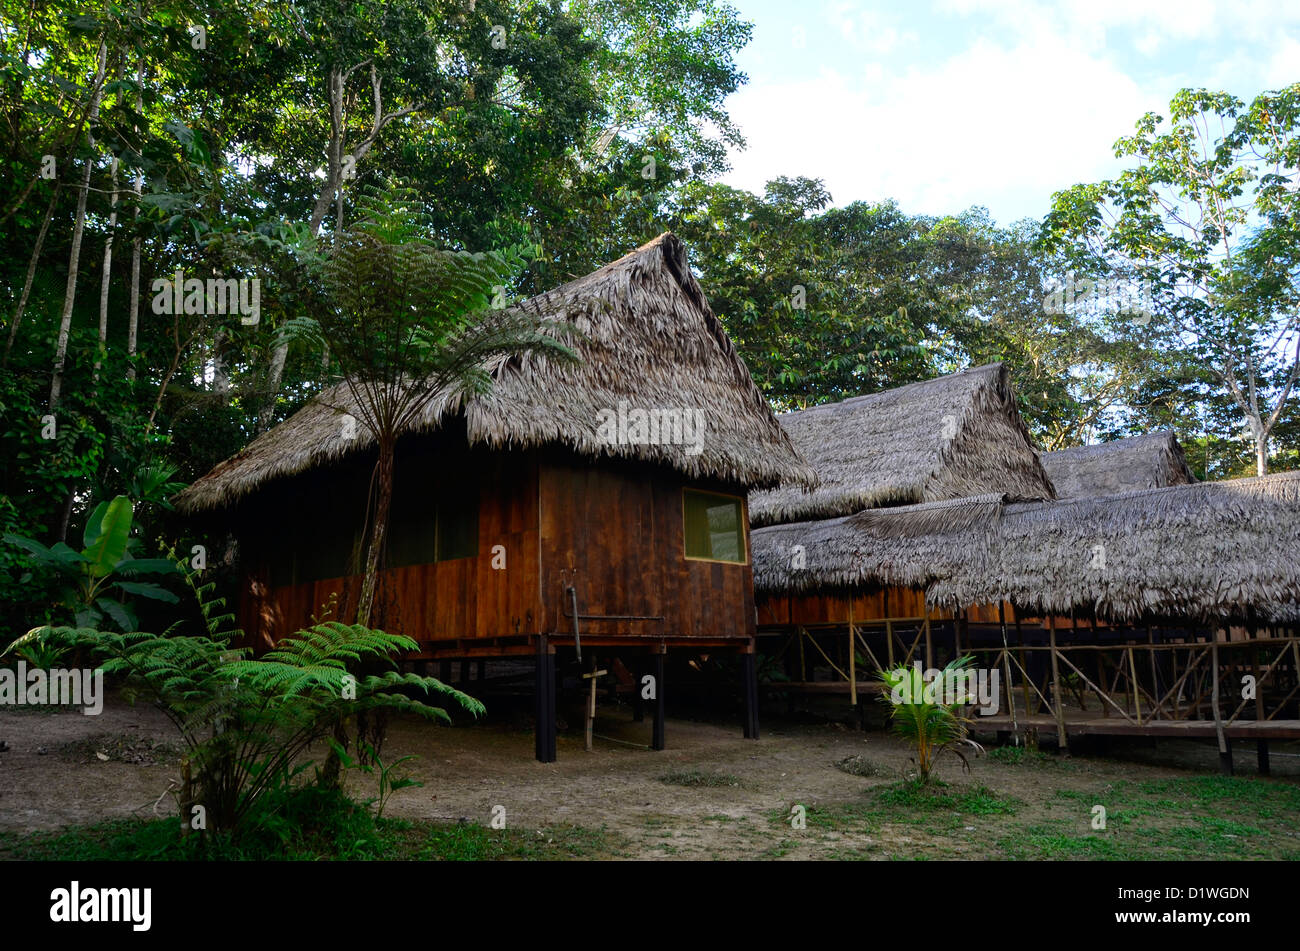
64 768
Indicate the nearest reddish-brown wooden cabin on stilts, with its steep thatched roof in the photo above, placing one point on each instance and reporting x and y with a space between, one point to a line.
595 511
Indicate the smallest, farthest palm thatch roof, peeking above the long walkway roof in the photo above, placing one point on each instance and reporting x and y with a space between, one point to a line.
1145 462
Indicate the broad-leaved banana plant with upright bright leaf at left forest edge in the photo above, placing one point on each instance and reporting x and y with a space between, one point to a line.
99 580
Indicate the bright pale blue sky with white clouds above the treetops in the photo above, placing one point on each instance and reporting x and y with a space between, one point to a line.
947 105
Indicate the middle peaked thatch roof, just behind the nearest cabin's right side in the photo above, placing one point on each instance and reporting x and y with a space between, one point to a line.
947 438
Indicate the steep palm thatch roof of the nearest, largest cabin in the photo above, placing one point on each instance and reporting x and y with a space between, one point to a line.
651 342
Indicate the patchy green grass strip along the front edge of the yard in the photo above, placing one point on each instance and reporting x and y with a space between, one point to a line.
1177 819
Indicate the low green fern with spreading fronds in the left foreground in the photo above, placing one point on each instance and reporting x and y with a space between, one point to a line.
246 722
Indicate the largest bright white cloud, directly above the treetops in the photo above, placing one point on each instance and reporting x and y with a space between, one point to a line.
995 125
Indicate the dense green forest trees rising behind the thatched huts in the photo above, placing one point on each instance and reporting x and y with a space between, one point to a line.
153 144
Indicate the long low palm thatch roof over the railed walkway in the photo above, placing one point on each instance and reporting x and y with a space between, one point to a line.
1208 550
